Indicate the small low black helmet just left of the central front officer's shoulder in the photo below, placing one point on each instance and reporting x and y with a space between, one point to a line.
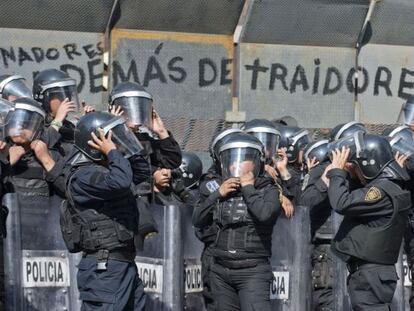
191 169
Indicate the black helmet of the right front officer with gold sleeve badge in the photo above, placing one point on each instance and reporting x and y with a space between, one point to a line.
373 154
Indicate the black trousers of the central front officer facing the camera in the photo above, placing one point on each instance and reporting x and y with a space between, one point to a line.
245 289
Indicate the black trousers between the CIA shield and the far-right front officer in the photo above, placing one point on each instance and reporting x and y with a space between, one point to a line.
322 278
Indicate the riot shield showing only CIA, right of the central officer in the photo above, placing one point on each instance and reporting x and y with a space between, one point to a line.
291 287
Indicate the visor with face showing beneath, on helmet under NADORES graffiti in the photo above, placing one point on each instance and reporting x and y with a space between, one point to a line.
55 94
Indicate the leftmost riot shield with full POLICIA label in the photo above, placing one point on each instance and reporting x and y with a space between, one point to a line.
39 271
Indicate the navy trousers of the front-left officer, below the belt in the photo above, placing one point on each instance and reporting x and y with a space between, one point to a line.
118 288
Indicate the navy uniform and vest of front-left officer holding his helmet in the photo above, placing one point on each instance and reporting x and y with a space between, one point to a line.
107 277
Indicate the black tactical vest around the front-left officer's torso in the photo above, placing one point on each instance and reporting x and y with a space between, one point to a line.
105 225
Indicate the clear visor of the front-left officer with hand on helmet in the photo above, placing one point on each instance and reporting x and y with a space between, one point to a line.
125 140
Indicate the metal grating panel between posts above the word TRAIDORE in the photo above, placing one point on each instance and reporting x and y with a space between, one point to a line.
306 22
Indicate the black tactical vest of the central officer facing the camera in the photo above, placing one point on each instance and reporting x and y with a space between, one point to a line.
238 231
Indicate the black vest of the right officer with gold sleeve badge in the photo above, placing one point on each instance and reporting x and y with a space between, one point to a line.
375 244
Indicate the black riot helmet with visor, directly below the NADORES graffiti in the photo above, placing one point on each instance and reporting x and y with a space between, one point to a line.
52 86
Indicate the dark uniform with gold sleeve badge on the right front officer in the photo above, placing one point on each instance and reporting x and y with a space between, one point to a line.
369 237
